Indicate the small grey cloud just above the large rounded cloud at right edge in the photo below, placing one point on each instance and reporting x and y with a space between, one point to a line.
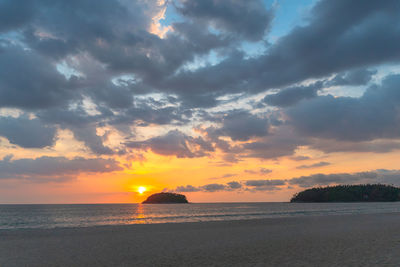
353 77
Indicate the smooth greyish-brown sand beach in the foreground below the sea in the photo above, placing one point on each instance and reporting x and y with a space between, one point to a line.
343 240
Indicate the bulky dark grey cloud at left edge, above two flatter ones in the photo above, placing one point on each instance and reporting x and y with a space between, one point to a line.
30 81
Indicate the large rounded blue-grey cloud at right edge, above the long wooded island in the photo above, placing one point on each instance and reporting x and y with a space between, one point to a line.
372 116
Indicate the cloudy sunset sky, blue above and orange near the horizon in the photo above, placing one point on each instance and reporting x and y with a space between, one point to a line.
221 100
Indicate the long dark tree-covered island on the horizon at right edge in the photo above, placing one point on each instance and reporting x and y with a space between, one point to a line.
349 193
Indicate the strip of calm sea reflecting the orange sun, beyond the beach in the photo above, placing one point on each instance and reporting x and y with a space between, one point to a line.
51 216
